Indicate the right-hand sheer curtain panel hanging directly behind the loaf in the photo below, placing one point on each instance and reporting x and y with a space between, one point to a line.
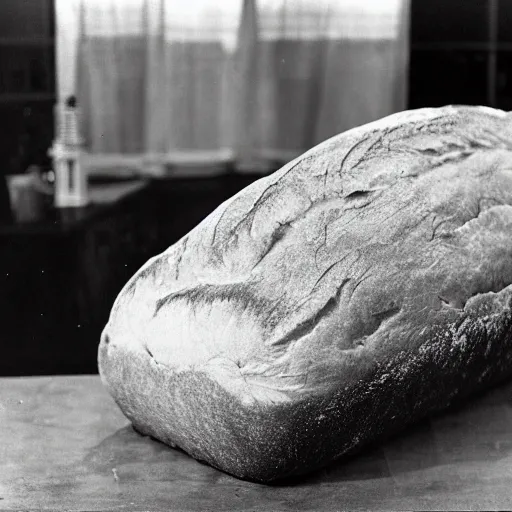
313 68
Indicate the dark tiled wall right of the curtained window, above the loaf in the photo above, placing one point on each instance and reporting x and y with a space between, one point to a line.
461 53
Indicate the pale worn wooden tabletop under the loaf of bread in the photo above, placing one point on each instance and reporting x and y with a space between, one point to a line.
64 445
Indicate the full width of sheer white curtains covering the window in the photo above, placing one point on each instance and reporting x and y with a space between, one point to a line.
254 82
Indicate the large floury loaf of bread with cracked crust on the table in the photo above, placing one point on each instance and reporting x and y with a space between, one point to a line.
361 287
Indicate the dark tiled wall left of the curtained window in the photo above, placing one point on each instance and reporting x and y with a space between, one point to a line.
27 83
